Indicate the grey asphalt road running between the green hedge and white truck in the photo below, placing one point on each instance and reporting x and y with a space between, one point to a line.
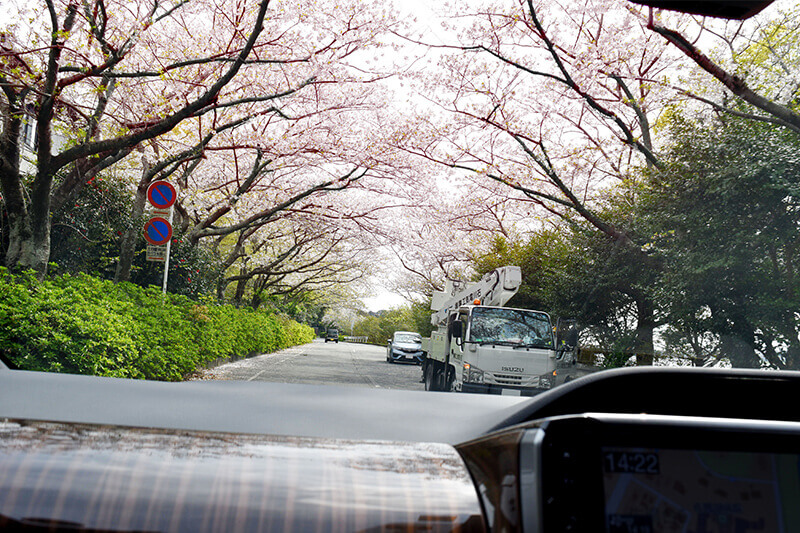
342 363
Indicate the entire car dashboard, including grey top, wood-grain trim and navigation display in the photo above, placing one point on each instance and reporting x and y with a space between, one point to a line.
634 450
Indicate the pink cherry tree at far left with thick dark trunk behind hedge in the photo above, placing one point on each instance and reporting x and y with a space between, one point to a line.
110 78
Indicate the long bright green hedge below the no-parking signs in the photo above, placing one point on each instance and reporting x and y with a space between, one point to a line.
84 325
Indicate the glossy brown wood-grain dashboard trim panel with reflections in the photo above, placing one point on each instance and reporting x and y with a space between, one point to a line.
93 478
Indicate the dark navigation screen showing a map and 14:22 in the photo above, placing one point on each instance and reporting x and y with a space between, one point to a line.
664 490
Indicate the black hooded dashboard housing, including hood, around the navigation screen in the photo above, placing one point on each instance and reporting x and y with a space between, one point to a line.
546 461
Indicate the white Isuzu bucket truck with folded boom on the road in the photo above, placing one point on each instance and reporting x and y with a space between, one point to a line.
483 347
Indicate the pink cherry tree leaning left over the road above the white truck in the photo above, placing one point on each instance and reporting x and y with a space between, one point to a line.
548 104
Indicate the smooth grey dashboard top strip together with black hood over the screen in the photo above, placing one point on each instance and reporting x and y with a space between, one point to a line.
360 413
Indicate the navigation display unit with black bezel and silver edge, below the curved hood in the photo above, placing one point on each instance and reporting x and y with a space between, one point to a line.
613 473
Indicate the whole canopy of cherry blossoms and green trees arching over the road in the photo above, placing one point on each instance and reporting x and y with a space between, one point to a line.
640 169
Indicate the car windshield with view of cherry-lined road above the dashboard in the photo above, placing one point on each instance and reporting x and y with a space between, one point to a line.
281 188
